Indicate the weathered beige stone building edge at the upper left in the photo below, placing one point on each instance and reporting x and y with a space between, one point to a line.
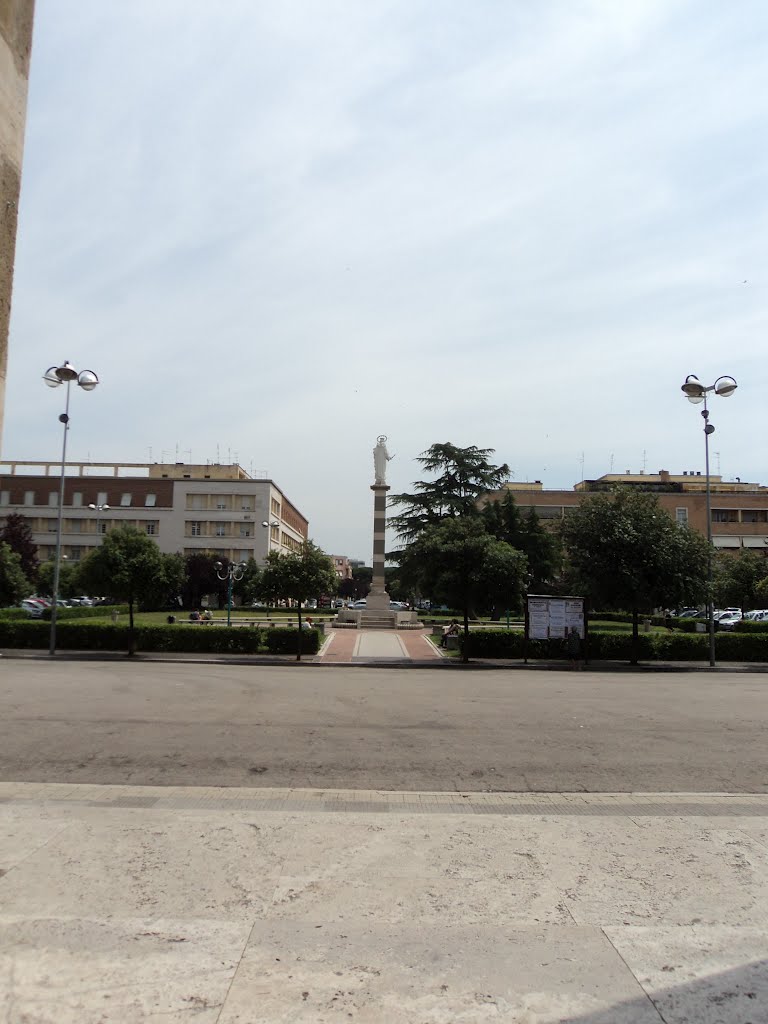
16 46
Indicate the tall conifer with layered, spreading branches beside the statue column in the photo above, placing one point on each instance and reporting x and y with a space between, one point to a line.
464 475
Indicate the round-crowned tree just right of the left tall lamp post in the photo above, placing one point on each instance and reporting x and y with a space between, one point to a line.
130 567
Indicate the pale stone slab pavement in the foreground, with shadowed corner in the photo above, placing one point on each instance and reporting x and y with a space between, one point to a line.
131 905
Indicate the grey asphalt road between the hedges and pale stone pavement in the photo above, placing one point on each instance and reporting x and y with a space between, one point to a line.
382 729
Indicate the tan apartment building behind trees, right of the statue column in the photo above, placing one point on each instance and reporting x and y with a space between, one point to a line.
740 510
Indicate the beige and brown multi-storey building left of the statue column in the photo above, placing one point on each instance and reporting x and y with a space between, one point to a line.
186 508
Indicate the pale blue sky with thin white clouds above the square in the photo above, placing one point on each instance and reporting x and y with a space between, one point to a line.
279 229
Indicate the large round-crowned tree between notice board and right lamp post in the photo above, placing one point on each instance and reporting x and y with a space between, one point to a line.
626 552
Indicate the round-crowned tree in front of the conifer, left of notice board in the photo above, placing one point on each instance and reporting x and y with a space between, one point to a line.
459 564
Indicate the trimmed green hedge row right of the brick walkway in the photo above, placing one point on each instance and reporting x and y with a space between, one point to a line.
618 647
